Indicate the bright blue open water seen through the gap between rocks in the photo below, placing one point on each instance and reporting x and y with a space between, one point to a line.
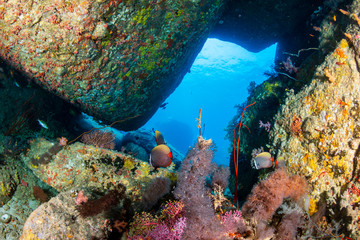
218 80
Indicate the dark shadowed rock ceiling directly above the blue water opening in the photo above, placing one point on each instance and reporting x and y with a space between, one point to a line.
258 24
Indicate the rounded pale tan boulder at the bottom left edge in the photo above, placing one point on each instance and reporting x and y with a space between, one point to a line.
59 219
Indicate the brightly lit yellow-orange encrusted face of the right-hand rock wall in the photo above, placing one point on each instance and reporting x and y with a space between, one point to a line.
324 145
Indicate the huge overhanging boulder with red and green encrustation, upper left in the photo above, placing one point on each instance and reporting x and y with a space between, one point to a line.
116 60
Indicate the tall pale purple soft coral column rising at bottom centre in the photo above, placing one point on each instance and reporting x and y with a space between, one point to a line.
191 190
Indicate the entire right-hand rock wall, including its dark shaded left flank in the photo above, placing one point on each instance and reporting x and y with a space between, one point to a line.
316 130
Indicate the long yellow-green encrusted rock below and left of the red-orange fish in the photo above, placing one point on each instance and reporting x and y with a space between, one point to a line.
84 166
